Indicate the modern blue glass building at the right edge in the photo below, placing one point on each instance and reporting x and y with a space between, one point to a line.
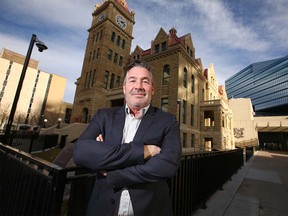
266 83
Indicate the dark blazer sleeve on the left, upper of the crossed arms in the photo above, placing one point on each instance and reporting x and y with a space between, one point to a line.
104 155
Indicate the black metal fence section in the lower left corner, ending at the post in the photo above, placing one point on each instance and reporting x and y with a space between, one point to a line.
29 186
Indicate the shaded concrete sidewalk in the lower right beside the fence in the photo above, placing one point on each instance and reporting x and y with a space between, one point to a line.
259 188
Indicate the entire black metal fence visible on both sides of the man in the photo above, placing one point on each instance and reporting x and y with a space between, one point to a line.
29 186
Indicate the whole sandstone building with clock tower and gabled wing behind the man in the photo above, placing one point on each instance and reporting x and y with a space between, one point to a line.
184 87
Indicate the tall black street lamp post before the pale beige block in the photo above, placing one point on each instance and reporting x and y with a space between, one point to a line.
41 46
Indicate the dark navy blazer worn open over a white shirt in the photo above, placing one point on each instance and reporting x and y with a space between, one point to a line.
125 164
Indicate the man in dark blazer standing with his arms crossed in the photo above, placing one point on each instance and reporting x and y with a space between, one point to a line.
134 150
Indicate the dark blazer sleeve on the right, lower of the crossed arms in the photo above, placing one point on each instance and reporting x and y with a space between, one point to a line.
160 167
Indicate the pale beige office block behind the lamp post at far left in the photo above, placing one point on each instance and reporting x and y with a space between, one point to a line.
41 94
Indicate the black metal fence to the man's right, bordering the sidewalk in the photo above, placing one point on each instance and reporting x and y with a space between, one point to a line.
200 176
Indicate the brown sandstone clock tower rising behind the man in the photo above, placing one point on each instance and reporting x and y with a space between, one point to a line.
107 52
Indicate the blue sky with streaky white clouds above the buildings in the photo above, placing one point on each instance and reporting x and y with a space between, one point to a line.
231 34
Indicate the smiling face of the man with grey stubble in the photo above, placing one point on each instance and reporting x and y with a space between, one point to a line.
138 88
